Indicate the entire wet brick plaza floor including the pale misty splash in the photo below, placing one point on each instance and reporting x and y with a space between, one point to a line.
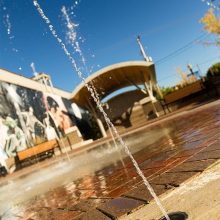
102 182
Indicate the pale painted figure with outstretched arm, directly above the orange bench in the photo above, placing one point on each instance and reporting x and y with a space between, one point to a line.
30 122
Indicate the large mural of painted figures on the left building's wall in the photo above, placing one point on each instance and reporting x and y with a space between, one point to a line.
29 117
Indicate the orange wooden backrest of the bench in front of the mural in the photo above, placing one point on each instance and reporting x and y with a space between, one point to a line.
37 150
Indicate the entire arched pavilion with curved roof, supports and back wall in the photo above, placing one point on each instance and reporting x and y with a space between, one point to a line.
128 108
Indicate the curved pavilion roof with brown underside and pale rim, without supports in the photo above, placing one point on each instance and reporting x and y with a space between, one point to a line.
113 78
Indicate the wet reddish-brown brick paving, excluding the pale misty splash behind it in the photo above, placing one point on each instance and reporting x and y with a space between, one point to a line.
190 148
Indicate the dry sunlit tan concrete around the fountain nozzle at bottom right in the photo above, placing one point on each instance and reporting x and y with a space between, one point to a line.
197 197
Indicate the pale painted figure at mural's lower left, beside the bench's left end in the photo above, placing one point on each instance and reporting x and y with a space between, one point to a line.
15 138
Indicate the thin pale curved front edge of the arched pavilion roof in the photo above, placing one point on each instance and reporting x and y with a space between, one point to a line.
107 69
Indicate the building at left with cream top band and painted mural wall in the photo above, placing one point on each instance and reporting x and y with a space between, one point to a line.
32 111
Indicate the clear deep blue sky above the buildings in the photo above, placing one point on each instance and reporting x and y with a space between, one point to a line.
108 31
